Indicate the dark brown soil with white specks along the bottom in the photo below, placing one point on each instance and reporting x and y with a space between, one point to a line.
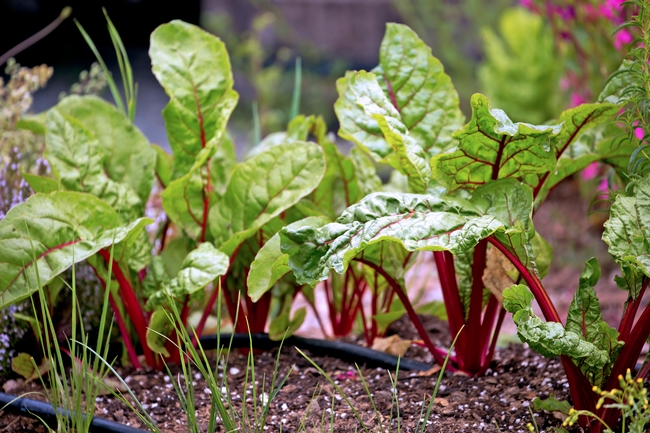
463 404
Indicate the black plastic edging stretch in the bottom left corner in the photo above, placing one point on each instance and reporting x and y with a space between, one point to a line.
45 411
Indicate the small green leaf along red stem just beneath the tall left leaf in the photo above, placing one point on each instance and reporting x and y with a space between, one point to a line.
184 198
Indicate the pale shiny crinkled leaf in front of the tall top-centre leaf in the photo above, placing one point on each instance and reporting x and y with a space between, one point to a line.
391 142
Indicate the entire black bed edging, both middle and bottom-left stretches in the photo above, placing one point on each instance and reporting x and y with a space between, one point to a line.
344 351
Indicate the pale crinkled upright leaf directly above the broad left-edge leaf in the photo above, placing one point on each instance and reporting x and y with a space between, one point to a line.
76 159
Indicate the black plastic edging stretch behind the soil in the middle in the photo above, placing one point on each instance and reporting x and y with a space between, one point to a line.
336 349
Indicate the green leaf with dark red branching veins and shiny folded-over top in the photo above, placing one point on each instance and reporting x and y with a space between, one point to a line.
492 147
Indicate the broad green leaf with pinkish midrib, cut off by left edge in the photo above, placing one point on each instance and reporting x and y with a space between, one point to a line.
58 230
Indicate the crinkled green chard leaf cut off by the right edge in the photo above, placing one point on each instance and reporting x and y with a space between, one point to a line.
627 231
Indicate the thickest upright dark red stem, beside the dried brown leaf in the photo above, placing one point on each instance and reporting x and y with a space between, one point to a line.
473 356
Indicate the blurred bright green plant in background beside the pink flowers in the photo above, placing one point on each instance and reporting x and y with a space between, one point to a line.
520 73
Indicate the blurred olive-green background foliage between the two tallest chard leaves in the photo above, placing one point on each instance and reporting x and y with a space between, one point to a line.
268 73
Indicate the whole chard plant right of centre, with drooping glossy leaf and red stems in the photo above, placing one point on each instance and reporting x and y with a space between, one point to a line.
473 190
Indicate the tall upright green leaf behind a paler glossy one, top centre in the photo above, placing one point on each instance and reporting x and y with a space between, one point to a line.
418 87
